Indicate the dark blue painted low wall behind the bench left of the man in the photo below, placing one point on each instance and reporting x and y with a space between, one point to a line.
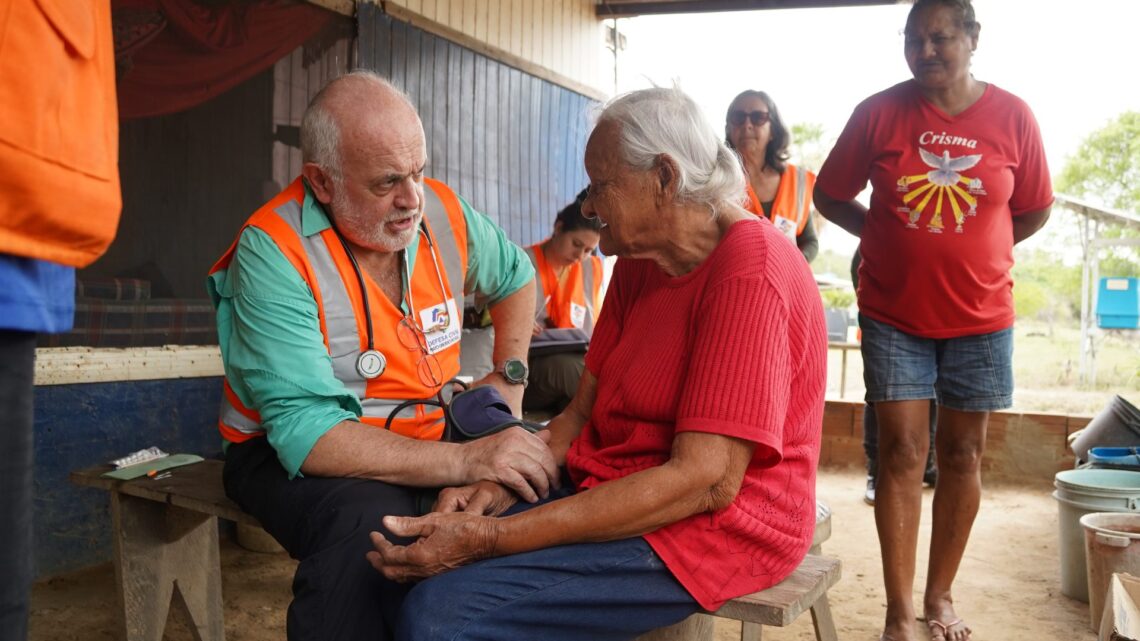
80 426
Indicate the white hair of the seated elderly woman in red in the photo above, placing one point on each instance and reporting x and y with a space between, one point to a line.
666 121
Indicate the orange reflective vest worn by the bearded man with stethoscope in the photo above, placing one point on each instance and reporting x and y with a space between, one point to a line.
321 261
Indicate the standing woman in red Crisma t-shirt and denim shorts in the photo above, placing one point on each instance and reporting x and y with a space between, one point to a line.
958 175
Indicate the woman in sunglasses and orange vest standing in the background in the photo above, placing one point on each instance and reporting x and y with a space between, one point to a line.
777 190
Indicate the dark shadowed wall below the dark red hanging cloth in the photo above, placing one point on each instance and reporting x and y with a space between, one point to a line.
189 182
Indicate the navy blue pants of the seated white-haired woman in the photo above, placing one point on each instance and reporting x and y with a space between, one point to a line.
587 593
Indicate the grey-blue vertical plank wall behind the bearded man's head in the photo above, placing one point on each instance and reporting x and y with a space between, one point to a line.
510 143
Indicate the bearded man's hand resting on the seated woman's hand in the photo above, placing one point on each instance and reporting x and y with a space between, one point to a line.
515 458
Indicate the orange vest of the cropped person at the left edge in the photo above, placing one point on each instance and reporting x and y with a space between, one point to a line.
60 197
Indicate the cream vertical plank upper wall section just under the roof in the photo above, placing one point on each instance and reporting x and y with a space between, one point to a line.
563 36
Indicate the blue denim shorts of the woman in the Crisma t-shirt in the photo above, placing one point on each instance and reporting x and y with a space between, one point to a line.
966 374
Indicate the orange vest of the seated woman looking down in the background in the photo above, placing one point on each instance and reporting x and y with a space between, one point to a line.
569 306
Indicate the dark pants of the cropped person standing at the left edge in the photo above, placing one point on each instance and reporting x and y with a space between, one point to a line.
18 368
